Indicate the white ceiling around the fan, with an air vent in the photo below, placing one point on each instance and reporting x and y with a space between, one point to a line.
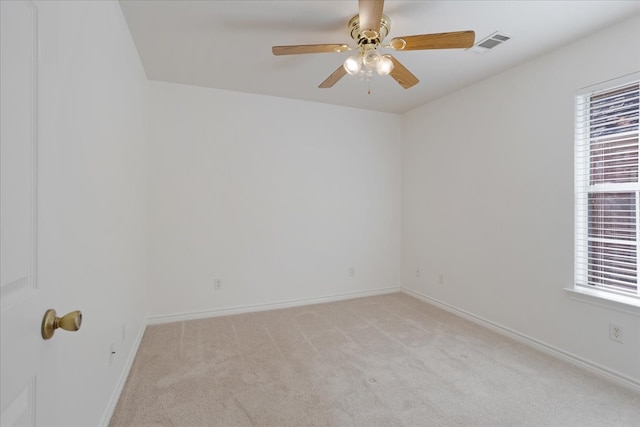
227 44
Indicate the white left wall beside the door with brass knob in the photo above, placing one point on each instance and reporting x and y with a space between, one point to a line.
92 196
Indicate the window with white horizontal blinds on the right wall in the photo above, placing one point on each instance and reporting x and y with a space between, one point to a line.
607 189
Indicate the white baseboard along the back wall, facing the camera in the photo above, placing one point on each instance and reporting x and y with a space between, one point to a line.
179 317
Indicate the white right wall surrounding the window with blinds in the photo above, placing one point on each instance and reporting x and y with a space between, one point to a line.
488 200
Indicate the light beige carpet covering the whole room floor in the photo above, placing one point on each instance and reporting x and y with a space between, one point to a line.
388 360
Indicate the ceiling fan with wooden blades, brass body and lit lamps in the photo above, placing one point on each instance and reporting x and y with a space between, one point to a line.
369 28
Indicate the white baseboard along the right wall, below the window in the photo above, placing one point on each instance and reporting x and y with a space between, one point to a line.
592 367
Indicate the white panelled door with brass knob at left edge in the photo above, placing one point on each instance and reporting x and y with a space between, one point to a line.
27 361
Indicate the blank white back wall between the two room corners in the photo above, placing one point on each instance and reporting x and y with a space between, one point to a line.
277 198
